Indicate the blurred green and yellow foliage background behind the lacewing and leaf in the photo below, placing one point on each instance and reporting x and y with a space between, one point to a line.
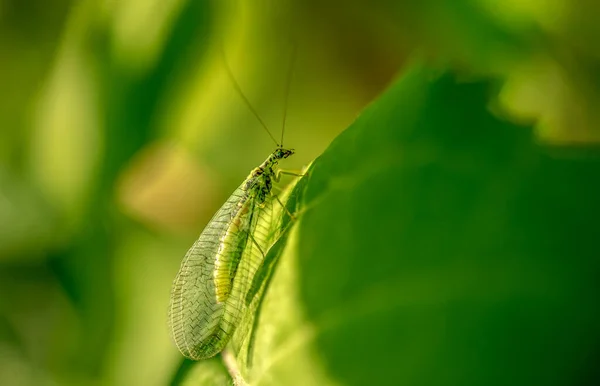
120 135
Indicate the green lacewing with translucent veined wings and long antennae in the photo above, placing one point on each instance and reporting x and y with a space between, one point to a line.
208 293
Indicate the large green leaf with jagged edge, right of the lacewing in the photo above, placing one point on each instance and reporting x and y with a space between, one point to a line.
436 244
